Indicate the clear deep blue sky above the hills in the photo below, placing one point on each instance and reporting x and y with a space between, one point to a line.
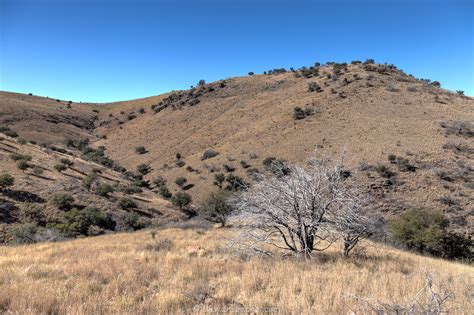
108 50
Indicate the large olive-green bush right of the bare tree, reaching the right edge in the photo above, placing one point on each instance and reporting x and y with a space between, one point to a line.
425 231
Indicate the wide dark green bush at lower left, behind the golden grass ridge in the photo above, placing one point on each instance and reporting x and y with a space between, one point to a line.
88 221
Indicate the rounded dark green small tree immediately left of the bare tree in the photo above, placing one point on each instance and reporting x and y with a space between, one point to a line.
216 208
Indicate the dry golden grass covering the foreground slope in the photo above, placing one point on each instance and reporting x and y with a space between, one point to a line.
131 273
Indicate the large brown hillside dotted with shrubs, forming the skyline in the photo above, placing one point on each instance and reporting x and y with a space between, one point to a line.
366 113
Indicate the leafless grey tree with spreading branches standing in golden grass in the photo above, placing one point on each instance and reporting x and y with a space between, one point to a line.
304 209
